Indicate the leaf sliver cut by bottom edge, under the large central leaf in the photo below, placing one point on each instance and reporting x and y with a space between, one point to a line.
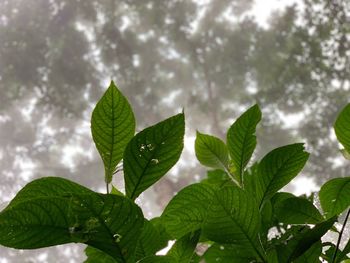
226 253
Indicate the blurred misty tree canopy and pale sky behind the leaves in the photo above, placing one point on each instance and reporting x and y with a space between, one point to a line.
214 58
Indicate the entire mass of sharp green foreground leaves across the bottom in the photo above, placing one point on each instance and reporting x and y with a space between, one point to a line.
233 212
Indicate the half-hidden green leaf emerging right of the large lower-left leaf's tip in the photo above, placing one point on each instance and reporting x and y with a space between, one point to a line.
150 241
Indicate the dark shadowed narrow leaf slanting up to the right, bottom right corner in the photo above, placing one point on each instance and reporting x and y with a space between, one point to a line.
302 242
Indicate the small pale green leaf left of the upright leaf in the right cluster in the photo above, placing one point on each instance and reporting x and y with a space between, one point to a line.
211 151
